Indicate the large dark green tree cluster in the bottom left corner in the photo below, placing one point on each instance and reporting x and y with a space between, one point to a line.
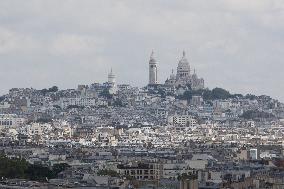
20 168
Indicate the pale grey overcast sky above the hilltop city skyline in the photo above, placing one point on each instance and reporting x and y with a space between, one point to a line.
234 44
